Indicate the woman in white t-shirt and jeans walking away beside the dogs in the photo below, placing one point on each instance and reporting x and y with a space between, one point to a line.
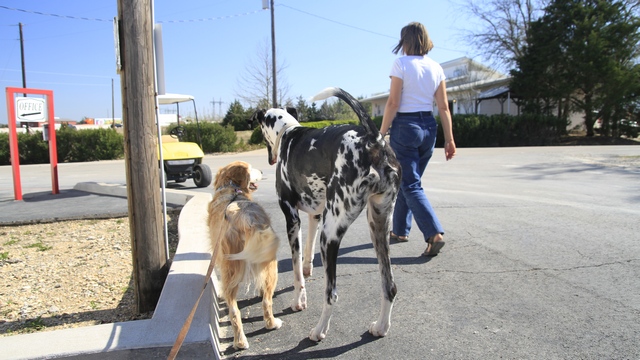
416 82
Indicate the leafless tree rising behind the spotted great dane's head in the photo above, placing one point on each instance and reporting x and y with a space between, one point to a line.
255 86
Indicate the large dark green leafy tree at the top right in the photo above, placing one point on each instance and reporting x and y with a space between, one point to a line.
581 56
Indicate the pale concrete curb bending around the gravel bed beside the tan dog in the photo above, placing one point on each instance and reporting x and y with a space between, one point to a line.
180 291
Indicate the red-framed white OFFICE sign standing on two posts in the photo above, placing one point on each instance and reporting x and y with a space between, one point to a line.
13 115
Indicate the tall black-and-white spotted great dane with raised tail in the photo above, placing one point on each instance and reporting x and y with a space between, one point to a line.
332 174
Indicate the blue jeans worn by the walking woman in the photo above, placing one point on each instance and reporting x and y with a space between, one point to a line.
413 138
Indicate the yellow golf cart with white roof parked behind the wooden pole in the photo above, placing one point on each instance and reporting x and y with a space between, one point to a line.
182 160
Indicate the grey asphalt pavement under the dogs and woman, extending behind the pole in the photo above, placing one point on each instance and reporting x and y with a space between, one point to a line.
542 259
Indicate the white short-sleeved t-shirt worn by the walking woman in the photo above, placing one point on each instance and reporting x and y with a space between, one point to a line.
420 76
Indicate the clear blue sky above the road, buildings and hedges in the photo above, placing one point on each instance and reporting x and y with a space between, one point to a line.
208 44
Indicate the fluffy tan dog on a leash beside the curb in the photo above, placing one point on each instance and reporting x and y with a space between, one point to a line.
248 244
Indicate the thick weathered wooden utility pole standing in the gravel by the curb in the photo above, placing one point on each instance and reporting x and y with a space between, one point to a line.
150 267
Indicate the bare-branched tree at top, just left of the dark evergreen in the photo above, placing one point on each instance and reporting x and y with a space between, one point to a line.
503 28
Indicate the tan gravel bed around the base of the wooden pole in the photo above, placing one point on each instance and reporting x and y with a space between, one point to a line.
68 274
